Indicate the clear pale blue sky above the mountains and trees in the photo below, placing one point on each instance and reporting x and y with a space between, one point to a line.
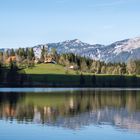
26 23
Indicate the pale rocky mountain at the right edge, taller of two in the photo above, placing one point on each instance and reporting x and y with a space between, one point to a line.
122 51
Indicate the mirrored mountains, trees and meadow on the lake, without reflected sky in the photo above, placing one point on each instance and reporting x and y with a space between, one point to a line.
75 110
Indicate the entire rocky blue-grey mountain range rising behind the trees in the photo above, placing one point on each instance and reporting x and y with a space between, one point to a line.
120 51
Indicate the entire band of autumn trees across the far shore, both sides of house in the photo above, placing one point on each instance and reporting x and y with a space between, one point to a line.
25 57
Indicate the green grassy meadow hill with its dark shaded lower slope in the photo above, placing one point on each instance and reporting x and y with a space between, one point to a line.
58 76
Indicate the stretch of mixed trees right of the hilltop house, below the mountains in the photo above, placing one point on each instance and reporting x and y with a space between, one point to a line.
88 65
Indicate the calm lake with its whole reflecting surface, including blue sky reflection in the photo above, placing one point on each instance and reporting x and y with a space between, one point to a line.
72 114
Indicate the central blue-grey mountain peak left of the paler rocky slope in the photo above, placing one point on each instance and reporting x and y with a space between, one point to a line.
77 47
